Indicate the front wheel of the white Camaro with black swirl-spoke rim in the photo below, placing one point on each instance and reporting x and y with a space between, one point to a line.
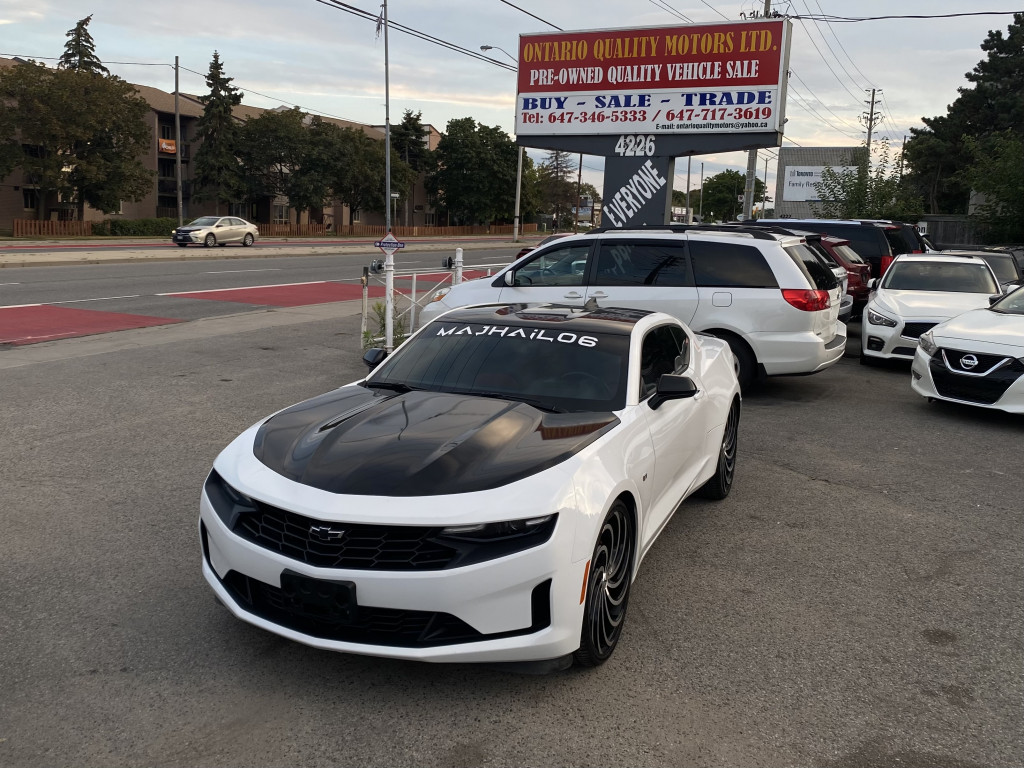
609 582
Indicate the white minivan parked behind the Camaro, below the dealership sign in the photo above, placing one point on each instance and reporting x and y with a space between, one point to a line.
769 295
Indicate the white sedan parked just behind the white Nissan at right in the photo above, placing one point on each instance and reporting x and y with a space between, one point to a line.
918 292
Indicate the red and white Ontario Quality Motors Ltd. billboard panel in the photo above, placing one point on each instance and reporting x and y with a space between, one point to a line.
718 78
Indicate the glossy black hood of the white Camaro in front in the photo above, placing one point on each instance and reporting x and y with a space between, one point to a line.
356 441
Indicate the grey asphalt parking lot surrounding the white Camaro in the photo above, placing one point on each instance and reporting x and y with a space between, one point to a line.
857 602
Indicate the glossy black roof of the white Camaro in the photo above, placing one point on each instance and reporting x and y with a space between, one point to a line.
580 320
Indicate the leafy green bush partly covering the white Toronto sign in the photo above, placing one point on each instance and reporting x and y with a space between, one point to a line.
871 192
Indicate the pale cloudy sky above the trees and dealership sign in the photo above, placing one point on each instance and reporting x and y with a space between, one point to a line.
313 55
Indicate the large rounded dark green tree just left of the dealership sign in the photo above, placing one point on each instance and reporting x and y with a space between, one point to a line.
476 173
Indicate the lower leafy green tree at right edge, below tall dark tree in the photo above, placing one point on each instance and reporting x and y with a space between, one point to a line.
998 173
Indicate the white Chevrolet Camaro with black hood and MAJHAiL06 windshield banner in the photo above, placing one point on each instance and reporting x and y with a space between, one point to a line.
486 495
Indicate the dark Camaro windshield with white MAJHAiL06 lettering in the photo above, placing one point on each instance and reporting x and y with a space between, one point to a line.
542 364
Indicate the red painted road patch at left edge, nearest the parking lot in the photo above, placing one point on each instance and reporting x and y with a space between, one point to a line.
30 325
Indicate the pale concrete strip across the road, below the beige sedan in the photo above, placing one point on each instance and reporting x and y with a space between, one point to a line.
15 253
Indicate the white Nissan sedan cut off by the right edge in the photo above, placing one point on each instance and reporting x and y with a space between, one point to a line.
976 359
